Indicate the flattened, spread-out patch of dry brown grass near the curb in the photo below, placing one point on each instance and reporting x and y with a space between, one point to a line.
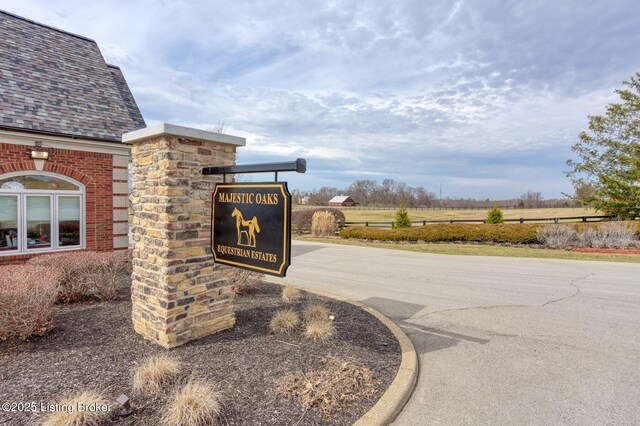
333 388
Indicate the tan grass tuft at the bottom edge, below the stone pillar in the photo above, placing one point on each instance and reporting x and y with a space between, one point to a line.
194 404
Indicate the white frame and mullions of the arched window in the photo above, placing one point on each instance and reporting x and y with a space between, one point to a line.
53 194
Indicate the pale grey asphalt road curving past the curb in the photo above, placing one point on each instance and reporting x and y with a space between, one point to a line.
500 340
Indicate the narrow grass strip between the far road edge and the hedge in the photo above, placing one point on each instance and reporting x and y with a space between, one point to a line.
485 250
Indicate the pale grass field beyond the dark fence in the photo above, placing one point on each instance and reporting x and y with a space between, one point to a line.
372 215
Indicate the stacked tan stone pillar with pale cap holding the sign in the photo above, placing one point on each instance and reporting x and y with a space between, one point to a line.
178 293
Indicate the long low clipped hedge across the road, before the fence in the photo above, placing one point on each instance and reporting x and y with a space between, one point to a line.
515 233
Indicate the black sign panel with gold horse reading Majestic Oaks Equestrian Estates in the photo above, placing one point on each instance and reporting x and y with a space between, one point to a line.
251 226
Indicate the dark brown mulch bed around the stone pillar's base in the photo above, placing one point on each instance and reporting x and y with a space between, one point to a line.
94 347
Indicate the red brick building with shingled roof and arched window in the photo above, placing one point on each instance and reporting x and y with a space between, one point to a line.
63 166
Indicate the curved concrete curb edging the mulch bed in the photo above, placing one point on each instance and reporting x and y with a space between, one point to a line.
396 396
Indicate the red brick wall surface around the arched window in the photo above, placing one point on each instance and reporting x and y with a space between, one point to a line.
94 170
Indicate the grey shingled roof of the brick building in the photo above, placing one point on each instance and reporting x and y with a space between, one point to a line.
56 82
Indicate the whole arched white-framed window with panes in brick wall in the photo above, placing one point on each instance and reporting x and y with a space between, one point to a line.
40 212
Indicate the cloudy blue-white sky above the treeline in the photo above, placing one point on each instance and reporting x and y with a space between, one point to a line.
482 97
